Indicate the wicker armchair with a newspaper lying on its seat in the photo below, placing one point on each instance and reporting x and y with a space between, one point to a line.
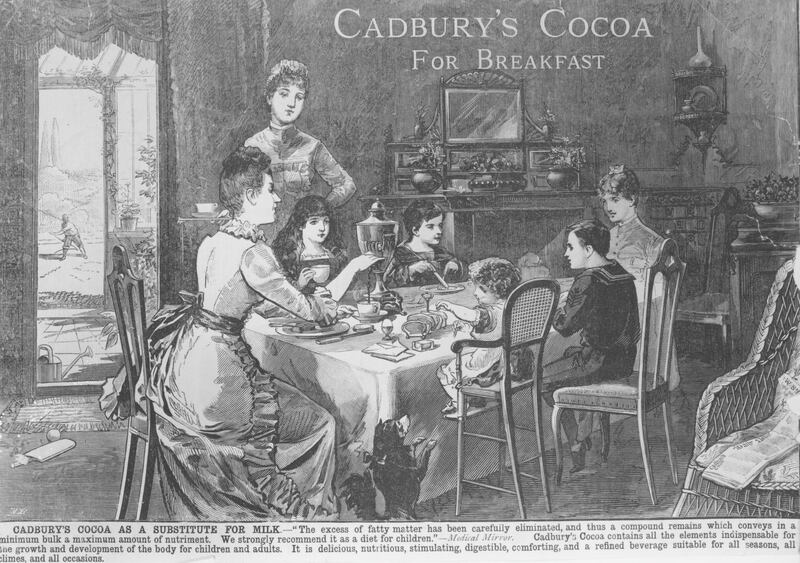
739 399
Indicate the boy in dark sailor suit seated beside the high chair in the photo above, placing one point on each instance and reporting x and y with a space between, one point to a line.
602 305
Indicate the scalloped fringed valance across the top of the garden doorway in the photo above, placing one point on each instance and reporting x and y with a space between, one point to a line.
81 27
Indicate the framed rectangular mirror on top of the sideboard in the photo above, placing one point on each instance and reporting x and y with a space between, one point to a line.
482 107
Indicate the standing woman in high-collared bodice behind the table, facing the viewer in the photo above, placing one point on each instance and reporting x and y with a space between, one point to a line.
298 159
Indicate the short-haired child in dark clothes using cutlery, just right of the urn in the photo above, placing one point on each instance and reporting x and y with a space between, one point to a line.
421 256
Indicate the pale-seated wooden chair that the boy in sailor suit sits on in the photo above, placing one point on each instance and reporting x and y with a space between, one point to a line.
648 387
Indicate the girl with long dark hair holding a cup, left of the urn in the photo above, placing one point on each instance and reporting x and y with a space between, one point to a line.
309 247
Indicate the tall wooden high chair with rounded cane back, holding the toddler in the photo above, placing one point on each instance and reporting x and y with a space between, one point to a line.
527 317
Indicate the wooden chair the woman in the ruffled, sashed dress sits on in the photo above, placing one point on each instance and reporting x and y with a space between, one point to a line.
127 292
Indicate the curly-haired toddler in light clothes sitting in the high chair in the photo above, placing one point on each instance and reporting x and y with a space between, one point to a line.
494 279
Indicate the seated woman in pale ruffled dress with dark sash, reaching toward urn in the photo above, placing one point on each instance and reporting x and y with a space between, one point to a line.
239 444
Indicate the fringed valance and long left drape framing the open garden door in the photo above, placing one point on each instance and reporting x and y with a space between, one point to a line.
30 28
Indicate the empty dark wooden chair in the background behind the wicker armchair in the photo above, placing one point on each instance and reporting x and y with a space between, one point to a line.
713 307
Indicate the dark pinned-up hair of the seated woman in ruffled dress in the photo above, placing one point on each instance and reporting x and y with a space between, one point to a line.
242 170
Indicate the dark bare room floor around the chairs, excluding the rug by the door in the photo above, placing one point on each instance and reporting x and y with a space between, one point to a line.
82 484
